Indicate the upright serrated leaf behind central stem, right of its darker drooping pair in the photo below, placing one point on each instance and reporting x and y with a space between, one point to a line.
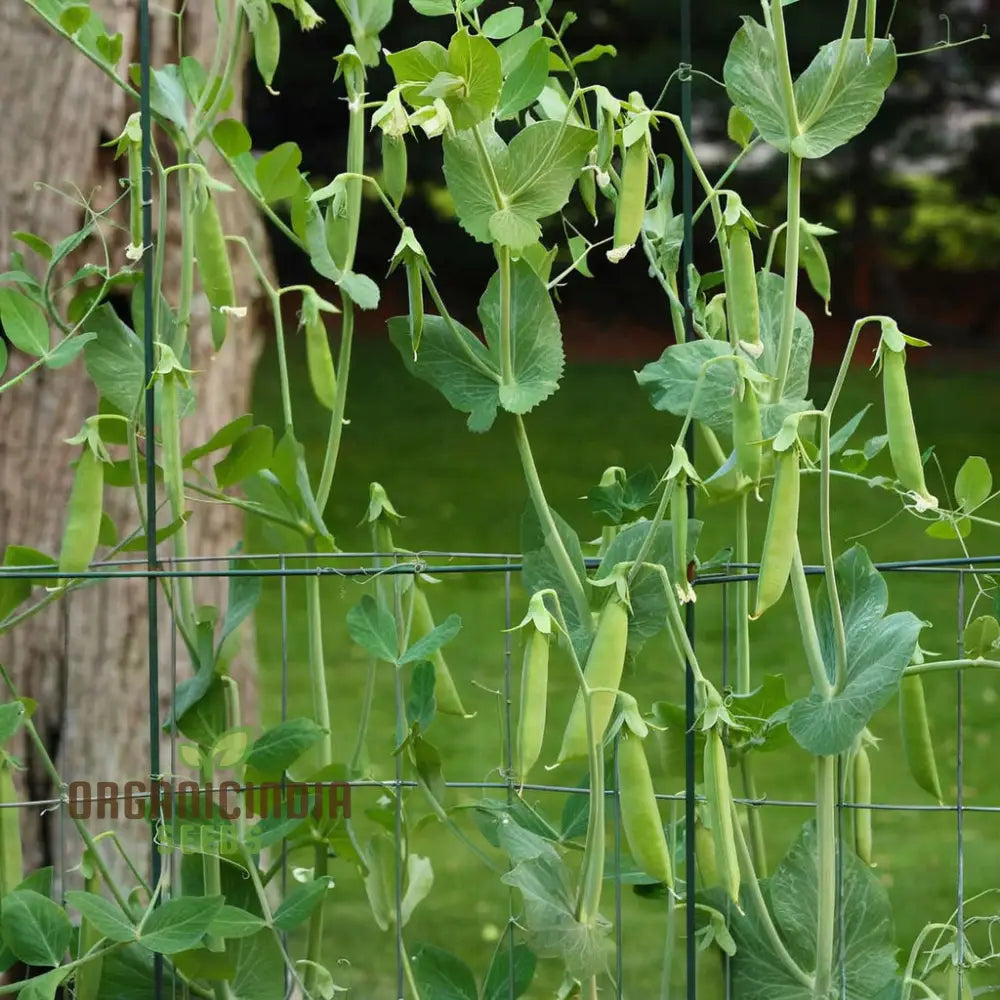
535 338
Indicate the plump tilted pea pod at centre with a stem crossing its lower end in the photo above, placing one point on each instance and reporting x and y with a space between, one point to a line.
604 668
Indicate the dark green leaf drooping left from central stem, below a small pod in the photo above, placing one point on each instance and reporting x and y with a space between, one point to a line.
456 363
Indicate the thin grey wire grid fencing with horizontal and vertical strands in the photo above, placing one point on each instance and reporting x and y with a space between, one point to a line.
366 566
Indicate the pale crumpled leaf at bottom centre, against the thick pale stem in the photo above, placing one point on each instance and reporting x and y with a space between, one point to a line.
549 920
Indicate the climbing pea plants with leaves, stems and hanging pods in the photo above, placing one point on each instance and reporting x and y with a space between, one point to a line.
522 136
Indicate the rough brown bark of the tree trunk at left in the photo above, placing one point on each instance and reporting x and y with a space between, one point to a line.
85 660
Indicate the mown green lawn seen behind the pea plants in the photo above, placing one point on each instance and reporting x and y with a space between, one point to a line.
462 492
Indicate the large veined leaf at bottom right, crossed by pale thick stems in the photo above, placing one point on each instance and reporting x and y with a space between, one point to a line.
791 895
